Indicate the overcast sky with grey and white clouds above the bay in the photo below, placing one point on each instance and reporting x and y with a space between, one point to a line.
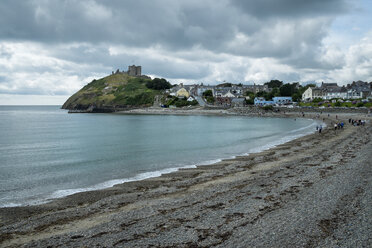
51 49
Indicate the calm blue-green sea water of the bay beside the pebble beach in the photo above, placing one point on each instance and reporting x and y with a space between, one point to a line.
46 153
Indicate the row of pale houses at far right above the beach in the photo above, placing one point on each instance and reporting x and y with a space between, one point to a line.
328 91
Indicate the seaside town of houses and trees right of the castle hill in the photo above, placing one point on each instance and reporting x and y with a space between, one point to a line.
239 95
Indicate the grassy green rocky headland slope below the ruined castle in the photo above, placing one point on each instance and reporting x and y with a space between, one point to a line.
111 93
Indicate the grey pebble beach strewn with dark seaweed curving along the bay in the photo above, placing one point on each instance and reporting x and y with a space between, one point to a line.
314 191
